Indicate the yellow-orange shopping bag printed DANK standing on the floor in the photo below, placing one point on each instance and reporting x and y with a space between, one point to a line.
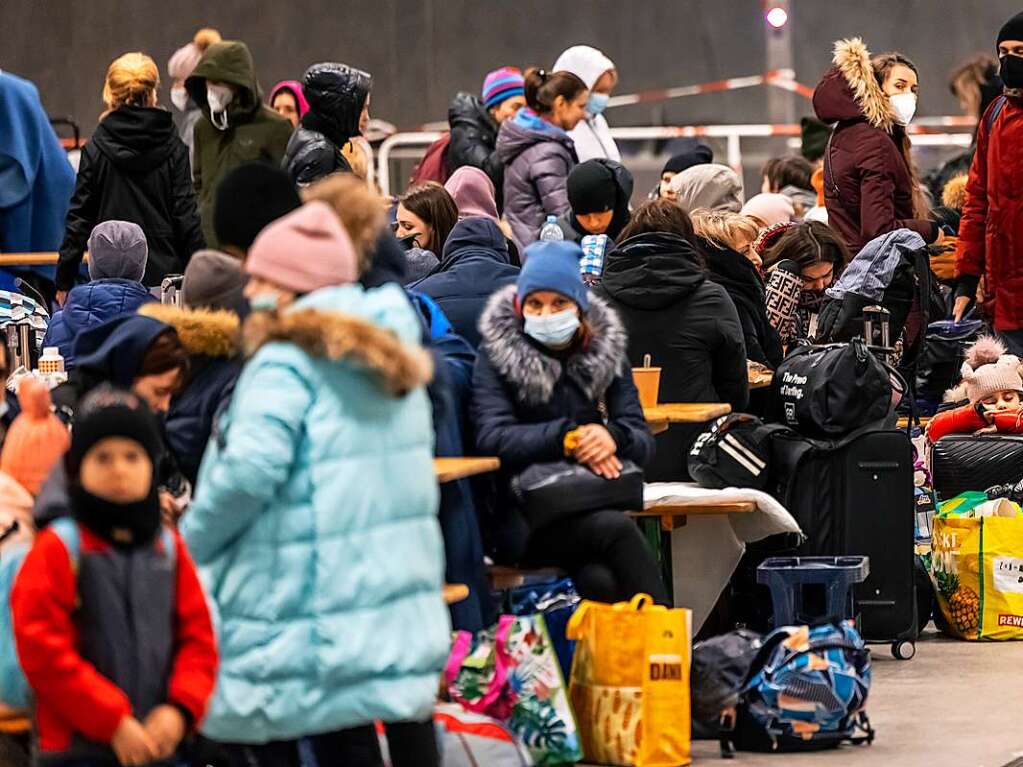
631 683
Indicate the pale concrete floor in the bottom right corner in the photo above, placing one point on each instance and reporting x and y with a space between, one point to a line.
955 705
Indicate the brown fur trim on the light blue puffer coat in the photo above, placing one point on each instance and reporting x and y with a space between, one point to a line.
337 337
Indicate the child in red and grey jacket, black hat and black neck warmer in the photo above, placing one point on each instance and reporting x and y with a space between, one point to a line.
111 622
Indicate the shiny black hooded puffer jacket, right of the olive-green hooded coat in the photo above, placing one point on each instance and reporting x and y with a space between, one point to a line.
337 95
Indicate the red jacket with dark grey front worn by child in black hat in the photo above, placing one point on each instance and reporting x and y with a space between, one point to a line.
61 617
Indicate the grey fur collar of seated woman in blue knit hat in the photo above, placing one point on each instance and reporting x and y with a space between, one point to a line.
532 374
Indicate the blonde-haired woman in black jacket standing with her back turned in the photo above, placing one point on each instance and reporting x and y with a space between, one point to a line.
134 169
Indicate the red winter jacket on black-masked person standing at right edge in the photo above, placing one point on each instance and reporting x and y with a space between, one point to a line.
991 243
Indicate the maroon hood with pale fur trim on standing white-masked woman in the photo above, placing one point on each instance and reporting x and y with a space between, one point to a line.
851 92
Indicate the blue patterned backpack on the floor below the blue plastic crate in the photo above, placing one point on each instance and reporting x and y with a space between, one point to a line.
806 691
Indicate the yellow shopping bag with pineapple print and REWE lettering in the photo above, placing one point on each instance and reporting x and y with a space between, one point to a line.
977 570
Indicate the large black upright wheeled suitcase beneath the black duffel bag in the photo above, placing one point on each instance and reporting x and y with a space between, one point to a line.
856 497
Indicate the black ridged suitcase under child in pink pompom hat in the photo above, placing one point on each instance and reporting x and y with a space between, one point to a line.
961 463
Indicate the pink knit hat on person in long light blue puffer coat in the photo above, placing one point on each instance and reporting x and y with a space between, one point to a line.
306 250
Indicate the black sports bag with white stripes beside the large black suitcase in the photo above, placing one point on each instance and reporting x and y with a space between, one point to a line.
735 453
